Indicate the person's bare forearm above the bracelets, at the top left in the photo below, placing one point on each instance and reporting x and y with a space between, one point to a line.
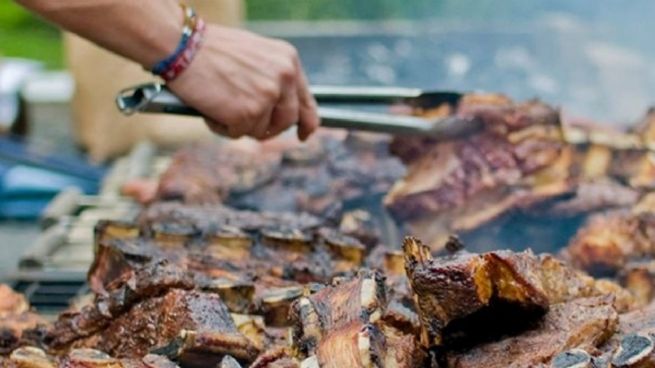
144 31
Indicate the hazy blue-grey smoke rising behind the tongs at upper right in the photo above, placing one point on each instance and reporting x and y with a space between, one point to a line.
595 59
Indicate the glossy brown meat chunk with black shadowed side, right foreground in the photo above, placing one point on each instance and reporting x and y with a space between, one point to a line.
505 291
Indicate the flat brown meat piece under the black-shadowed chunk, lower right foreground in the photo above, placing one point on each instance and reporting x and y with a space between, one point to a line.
584 323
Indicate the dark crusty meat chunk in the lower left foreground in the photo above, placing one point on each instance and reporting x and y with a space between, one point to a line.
186 325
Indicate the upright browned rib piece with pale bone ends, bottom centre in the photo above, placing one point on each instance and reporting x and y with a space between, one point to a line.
341 326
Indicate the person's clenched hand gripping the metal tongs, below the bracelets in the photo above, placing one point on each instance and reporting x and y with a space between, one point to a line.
248 85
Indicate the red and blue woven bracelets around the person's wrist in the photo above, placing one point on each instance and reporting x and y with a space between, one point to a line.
173 65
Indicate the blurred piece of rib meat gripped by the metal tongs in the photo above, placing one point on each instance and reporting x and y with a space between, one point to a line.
518 158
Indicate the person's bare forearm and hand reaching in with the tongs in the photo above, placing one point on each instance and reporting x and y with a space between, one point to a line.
243 84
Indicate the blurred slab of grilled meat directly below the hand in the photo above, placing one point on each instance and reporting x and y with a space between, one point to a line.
317 178
